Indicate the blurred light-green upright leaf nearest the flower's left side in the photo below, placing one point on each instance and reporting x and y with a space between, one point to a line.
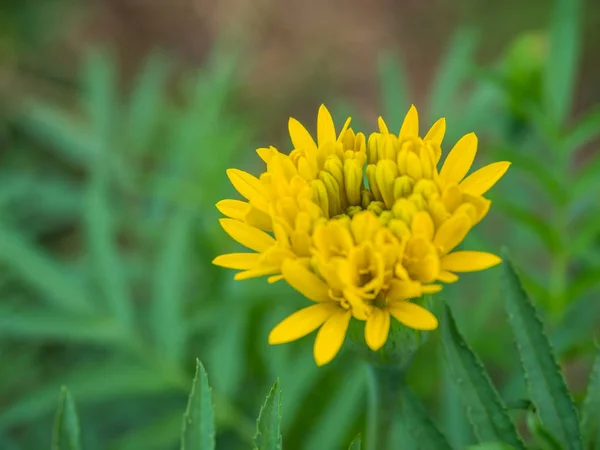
170 282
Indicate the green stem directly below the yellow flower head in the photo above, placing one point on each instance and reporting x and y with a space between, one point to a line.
384 400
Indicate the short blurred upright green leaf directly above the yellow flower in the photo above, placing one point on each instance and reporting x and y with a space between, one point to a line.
393 88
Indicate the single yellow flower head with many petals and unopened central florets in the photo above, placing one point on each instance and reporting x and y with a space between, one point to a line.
360 227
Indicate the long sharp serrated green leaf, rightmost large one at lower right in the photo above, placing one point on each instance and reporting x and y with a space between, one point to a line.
545 383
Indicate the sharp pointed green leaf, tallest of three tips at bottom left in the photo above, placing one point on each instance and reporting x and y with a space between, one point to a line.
198 430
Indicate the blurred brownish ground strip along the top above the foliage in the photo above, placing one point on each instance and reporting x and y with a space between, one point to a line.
297 54
